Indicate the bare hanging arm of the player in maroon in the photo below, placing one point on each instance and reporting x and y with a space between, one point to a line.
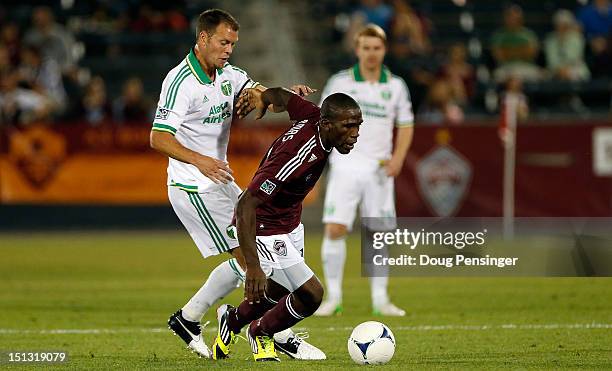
255 281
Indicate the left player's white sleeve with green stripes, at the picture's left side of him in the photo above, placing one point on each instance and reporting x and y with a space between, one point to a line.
173 104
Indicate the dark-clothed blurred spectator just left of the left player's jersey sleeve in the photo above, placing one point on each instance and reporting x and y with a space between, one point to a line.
132 106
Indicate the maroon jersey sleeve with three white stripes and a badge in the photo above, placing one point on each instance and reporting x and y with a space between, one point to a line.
283 162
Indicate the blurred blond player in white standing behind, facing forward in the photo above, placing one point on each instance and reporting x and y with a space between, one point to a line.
365 176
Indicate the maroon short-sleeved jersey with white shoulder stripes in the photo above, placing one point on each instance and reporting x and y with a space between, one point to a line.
290 169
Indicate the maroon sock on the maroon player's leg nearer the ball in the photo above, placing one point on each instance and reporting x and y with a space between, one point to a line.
277 319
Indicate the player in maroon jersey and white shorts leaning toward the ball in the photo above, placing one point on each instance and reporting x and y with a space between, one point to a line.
280 289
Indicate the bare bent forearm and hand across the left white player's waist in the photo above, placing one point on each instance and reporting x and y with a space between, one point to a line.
218 171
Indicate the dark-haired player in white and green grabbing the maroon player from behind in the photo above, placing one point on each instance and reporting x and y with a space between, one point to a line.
192 126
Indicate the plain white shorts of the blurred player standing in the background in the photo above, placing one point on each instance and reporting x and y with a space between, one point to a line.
374 192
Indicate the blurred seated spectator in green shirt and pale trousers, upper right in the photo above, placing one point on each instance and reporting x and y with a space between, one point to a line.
515 48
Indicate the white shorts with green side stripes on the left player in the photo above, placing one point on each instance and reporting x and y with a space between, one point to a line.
207 216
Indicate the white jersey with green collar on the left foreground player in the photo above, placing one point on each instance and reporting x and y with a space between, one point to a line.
198 112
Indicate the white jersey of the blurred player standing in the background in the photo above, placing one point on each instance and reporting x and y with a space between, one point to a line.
384 104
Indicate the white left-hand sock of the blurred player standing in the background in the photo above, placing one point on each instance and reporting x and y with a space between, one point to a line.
333 254
